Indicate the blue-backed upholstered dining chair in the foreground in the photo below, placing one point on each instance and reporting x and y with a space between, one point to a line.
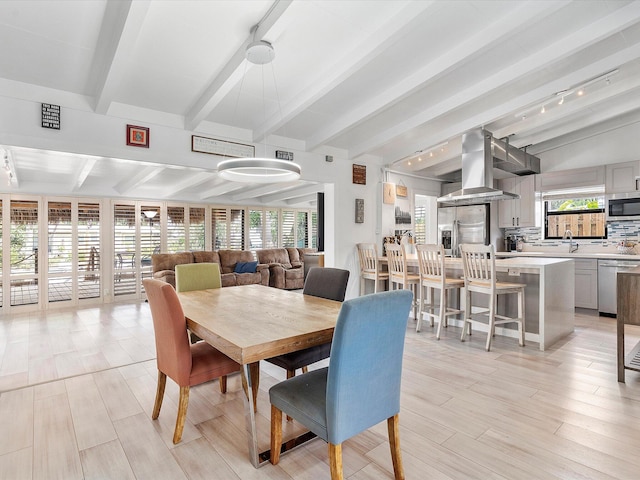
361 385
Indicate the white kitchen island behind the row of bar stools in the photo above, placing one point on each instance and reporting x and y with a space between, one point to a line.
549 297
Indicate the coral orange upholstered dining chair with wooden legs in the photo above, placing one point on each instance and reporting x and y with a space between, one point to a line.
184 363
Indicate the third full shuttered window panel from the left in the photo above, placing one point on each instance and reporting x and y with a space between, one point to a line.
88 238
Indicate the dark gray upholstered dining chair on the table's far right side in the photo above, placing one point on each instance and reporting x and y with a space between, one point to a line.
321 282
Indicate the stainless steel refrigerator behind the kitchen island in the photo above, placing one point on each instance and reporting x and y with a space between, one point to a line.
464 224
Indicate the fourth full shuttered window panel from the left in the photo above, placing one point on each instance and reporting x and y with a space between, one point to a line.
124 249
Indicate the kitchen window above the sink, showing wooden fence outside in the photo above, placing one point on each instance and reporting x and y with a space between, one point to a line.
581 212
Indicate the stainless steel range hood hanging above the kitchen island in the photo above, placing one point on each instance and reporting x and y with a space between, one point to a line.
480 154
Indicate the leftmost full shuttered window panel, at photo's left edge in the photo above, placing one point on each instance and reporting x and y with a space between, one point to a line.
24 252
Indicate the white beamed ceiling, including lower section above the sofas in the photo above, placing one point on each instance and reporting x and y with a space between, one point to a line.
381 78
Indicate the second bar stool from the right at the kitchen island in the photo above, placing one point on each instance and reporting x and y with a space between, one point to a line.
432 276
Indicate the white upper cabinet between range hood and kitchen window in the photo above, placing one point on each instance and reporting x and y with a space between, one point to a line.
520 212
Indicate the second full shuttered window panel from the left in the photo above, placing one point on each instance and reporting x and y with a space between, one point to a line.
59 251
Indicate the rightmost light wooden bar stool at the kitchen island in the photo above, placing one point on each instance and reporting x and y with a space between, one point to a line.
479 264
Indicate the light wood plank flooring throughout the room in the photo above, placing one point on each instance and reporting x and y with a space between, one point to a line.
77 389
